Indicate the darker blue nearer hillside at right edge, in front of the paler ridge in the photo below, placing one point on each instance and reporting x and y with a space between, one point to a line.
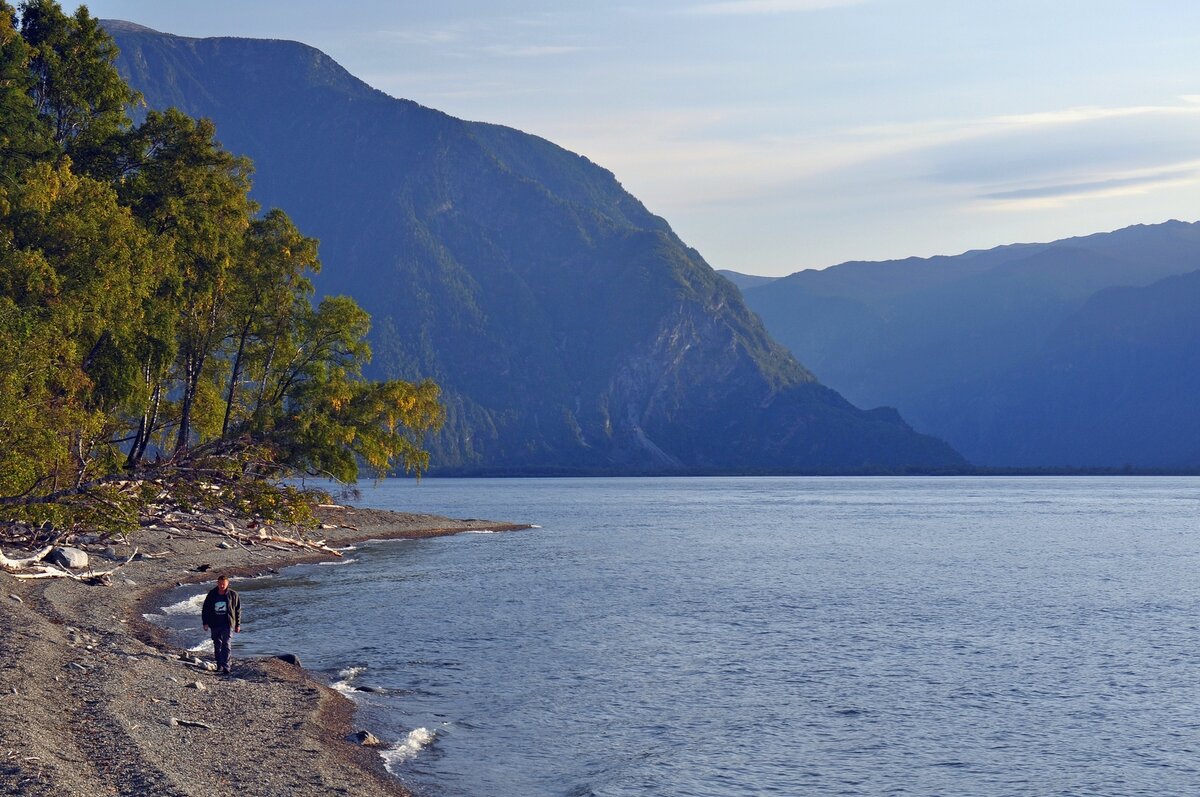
1117 386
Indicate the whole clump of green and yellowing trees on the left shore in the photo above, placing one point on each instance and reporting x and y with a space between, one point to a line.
154 323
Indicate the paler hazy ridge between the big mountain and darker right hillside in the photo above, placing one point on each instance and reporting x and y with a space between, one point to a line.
941 339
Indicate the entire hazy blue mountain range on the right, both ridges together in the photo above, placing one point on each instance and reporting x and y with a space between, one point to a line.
976 349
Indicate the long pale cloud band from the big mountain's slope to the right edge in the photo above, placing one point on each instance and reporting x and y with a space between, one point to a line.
681 159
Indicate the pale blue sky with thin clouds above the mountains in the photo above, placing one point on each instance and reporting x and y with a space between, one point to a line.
783 135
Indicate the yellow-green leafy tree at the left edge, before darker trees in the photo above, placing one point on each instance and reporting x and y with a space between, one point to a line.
74 267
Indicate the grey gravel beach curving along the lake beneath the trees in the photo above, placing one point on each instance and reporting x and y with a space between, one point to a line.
93 703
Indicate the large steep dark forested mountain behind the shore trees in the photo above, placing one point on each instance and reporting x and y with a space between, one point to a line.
571 328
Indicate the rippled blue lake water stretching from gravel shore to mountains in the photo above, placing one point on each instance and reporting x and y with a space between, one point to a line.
769 637
